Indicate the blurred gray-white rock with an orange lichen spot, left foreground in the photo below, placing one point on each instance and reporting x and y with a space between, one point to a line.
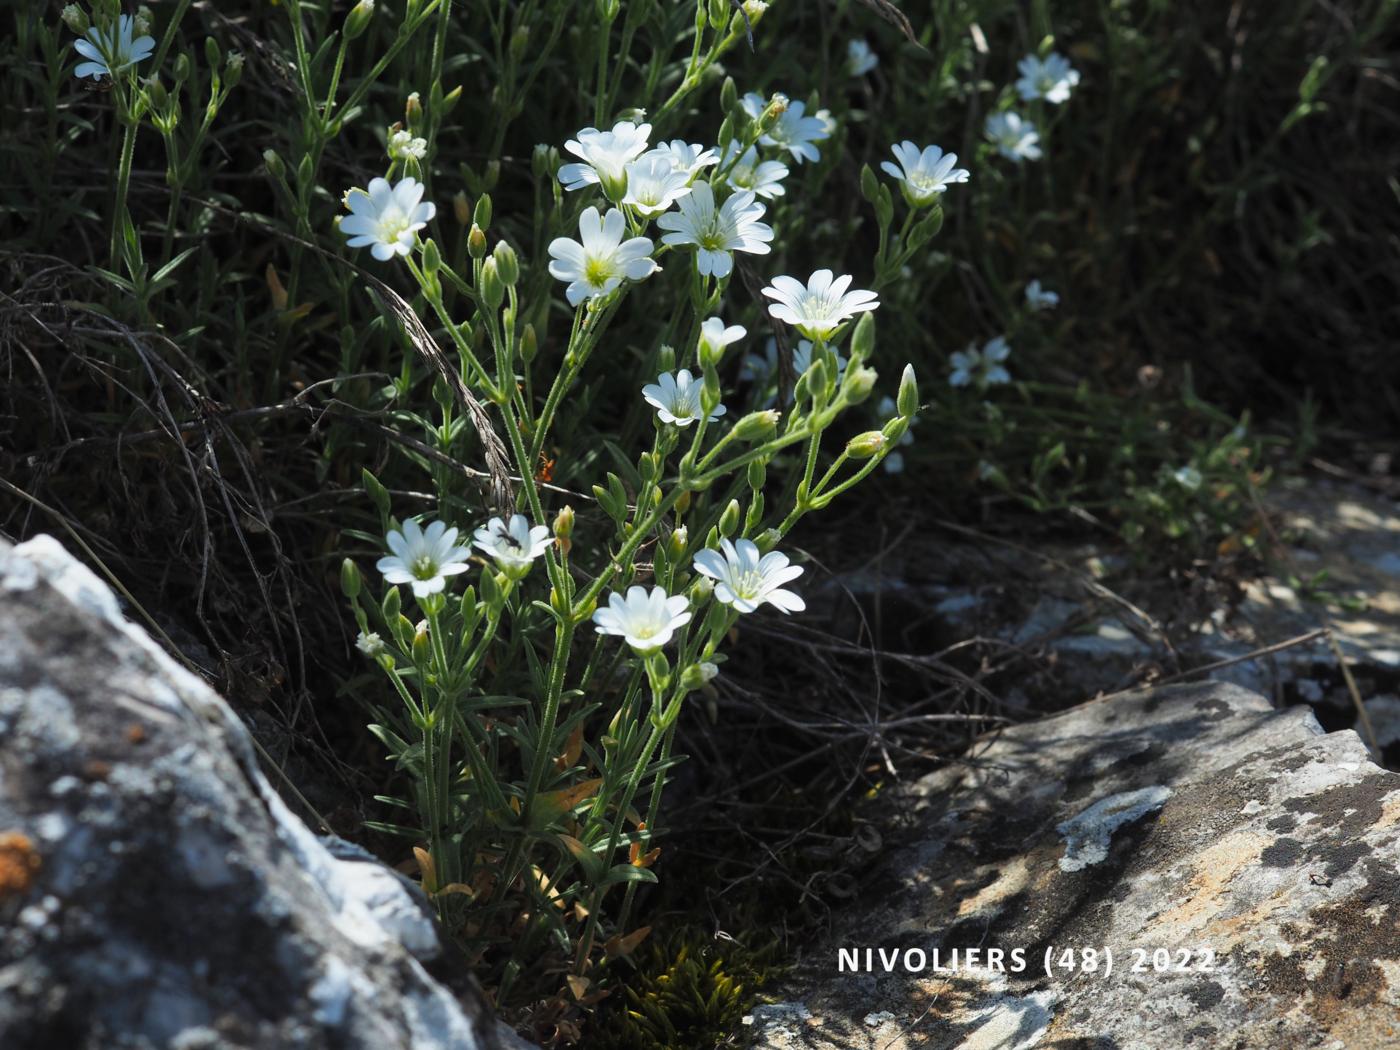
155 891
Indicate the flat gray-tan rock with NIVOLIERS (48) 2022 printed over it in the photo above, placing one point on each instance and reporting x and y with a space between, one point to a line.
1242 867
